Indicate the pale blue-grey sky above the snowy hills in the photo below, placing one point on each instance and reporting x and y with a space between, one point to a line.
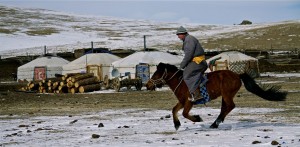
187 11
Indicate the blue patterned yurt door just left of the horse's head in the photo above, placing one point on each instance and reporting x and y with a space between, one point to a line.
143 72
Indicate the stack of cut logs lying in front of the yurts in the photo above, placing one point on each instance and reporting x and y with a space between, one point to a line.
69 83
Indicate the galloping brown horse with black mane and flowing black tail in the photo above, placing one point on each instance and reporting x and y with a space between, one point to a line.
223 83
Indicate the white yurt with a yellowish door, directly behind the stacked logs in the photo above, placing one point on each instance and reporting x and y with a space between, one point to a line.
97 63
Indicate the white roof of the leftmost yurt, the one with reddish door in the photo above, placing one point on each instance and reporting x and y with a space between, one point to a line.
49 61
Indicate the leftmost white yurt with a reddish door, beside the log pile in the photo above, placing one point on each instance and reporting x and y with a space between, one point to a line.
41 68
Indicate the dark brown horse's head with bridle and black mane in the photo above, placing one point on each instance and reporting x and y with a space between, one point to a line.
161 76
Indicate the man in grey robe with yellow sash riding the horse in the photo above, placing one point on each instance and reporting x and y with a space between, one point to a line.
193 63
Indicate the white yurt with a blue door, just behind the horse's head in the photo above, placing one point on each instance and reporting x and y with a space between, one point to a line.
142 64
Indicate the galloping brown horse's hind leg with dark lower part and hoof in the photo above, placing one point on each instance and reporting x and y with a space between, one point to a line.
227 106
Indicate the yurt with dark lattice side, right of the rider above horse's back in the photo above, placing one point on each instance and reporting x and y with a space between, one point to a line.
234 61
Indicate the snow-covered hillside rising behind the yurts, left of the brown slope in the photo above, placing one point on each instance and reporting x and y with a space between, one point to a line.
27 31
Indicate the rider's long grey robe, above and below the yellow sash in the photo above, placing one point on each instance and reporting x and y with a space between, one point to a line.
192 71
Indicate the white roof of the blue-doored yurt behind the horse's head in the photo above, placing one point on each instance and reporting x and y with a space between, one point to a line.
152 58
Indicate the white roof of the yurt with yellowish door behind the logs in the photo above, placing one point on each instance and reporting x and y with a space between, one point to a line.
94 59
